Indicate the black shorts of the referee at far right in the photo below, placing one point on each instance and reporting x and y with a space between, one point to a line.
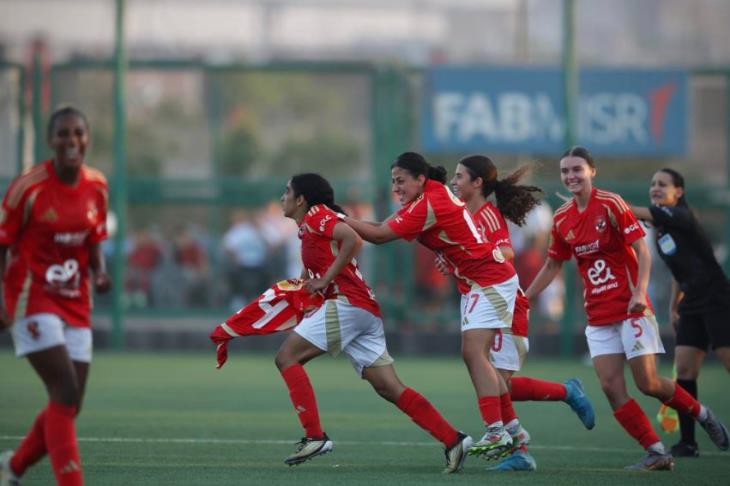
711 327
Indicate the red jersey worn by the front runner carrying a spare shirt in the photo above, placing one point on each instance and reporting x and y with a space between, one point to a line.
319 251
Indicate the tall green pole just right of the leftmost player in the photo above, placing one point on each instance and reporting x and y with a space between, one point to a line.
119 189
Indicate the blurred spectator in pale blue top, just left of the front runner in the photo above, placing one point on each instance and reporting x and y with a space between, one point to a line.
246 252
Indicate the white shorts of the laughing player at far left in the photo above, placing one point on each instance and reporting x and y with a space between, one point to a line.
43 331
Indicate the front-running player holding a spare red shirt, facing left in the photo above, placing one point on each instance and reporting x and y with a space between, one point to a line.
348 322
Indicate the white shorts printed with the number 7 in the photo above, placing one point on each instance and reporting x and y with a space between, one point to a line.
489 307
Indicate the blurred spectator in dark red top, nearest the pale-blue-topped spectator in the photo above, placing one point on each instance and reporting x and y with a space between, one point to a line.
192 259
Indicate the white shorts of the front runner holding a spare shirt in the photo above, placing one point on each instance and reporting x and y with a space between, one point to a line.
338 327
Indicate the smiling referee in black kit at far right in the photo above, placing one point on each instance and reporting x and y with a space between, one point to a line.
700 300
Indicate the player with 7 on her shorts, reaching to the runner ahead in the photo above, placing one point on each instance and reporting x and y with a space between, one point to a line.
487 282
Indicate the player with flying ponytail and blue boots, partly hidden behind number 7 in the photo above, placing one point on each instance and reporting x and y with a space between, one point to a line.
475 179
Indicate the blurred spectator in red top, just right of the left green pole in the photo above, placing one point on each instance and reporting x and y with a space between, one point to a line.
145 255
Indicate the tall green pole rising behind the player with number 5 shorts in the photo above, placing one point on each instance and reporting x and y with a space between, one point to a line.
570 97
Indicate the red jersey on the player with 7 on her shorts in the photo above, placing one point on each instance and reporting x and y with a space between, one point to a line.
442 223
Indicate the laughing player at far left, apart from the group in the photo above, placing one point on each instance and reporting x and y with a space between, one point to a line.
53 220
